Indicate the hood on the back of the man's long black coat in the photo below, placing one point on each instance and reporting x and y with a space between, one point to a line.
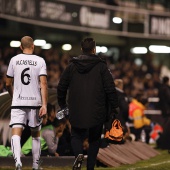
84 63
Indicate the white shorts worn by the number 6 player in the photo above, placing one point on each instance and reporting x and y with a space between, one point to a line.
20 117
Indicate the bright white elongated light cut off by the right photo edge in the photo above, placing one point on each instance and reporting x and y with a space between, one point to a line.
159 49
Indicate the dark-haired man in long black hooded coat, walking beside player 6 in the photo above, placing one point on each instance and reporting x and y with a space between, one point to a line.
90 87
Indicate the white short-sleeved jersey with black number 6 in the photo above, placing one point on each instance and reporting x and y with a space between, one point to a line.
26 69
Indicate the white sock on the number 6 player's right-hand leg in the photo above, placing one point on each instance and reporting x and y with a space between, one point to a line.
36 151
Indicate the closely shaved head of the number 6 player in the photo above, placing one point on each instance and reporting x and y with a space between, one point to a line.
27 43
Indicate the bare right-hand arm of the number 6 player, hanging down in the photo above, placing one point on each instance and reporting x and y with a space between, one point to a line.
44 95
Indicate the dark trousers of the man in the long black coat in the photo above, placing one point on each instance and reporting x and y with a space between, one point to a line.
94 135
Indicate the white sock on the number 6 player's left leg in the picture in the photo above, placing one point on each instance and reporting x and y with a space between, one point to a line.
16 149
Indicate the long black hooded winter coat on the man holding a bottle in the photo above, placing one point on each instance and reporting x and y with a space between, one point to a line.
90 85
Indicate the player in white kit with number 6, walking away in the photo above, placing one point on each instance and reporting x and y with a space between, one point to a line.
26 83
